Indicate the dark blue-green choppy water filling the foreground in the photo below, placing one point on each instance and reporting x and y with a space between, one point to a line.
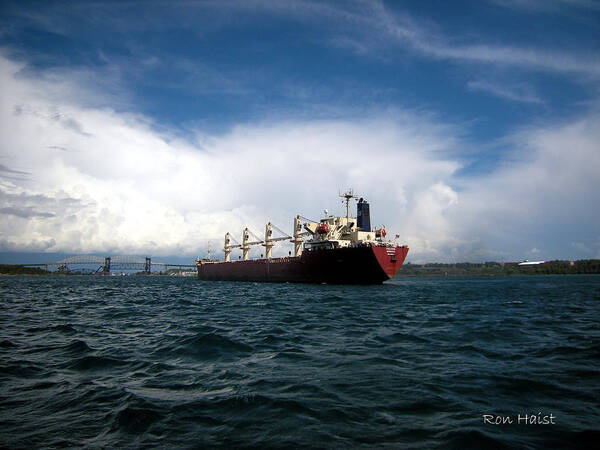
176 362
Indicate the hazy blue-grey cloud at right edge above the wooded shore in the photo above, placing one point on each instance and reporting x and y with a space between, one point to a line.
545 197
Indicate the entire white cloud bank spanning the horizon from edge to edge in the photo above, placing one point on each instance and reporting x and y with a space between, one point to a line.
82 179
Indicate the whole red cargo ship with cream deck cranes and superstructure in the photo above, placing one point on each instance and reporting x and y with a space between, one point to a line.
336 250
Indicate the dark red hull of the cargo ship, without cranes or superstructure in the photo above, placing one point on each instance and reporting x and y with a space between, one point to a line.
356 265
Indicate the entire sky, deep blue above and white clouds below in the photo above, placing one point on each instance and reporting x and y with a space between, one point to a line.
152 128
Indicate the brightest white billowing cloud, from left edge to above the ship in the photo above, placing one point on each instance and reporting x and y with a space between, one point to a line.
133 190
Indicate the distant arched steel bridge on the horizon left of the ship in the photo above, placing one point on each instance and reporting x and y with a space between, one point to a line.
105 264
